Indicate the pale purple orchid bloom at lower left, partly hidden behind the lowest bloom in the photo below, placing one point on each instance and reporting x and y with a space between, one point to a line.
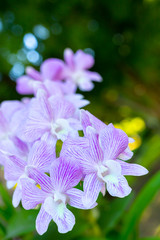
40 155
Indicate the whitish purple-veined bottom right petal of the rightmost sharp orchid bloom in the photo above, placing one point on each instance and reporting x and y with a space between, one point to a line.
118 187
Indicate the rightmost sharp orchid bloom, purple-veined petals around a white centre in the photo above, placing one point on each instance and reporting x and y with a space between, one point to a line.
100 163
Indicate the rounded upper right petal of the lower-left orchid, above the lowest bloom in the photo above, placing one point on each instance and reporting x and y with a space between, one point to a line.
41 155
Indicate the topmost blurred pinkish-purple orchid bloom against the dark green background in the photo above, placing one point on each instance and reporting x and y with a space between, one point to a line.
76 70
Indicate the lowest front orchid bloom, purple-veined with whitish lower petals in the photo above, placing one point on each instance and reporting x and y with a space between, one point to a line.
56 192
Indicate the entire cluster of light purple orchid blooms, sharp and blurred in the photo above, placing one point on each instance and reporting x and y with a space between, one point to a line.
30 129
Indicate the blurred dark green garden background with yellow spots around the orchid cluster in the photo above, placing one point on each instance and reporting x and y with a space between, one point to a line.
124 38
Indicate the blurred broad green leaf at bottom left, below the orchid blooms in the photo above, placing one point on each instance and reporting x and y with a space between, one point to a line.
21 223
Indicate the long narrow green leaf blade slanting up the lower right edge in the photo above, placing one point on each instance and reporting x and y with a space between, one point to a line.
137 208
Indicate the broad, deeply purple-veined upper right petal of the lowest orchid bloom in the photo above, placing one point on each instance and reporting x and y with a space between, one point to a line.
64 174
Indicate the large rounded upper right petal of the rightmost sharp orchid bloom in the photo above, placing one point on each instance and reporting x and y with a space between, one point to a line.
112 141
